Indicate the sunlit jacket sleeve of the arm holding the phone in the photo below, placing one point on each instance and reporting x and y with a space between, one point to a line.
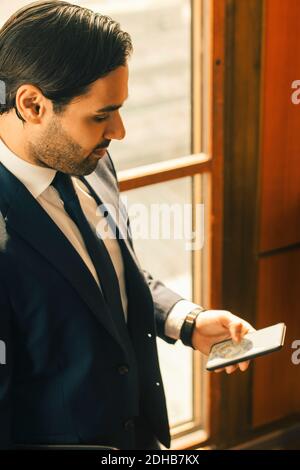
164 298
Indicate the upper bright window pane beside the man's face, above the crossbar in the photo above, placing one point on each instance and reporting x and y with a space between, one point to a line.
158 113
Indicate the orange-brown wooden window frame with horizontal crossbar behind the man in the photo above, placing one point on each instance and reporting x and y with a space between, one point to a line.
196 165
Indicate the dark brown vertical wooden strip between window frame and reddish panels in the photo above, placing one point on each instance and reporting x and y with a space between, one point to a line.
241 150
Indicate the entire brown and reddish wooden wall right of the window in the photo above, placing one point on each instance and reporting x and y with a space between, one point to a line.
261 243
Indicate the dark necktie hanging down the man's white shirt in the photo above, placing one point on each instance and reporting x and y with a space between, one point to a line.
94 245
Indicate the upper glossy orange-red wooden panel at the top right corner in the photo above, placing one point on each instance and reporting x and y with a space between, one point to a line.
280 143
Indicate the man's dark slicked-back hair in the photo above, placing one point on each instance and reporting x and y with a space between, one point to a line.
60 48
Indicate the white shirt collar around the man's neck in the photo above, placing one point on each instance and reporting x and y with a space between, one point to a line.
35 178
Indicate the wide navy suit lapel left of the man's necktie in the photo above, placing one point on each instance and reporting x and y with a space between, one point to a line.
24 215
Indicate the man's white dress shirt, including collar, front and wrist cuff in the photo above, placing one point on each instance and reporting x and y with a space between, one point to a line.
38 181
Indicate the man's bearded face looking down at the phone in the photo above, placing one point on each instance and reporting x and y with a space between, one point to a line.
66 141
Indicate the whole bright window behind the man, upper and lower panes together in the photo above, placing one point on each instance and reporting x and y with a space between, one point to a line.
164 160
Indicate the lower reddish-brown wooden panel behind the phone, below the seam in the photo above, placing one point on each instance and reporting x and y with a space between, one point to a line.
276 381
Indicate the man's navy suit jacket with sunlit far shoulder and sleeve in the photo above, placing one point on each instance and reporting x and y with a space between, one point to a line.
71 376
